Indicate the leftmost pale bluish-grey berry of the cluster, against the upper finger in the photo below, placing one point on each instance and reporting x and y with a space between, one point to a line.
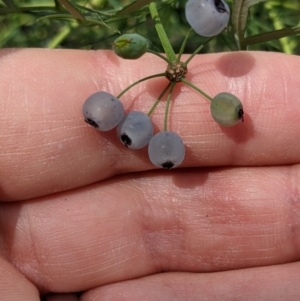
103 111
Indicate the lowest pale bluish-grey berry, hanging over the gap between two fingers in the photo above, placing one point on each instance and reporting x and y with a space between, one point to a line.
166 150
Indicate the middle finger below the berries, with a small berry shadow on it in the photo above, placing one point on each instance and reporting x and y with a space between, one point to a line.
135 225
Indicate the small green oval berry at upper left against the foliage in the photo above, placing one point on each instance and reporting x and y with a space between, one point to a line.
130 46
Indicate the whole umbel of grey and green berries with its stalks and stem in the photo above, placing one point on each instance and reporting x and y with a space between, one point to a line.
135 129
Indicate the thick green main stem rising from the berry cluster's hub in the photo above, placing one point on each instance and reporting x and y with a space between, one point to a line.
162 34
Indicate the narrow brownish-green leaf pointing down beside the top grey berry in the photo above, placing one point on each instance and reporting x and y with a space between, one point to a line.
240 16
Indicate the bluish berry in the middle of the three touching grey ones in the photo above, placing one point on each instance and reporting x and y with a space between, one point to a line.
135 130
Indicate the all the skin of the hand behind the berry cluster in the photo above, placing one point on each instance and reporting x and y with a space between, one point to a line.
79 212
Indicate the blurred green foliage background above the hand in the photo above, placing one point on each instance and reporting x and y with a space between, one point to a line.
93 24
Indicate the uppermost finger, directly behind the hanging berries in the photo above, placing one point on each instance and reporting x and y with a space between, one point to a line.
46 147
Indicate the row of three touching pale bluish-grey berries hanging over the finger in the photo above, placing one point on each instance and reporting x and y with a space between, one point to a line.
135 129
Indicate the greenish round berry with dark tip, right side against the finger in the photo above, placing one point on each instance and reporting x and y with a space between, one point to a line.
226 109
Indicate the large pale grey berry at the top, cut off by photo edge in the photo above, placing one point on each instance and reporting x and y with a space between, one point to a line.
207 17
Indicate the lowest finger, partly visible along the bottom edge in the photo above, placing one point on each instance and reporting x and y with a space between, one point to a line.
276 283
